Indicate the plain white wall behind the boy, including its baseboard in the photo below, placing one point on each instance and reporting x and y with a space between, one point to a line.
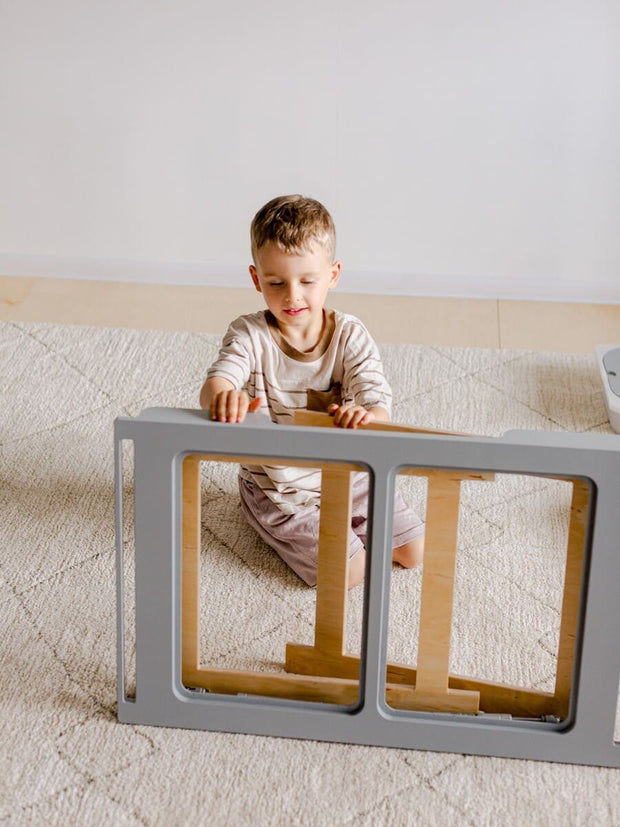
464 148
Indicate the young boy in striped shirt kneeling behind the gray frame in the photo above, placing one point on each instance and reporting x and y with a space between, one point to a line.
298 354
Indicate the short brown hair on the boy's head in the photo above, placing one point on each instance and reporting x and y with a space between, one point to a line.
293 223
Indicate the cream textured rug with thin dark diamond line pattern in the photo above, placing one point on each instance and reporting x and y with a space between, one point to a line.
65 760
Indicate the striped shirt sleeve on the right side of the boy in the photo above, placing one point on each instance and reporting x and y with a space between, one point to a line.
363 377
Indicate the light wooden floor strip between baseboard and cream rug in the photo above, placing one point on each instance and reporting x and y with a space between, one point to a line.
570 328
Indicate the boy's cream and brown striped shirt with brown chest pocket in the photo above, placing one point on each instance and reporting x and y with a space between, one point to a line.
344 367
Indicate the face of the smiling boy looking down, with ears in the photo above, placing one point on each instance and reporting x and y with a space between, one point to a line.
295 286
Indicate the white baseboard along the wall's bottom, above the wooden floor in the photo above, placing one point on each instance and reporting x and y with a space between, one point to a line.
545 288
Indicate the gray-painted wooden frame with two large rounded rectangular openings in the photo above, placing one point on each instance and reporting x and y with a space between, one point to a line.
163 437
